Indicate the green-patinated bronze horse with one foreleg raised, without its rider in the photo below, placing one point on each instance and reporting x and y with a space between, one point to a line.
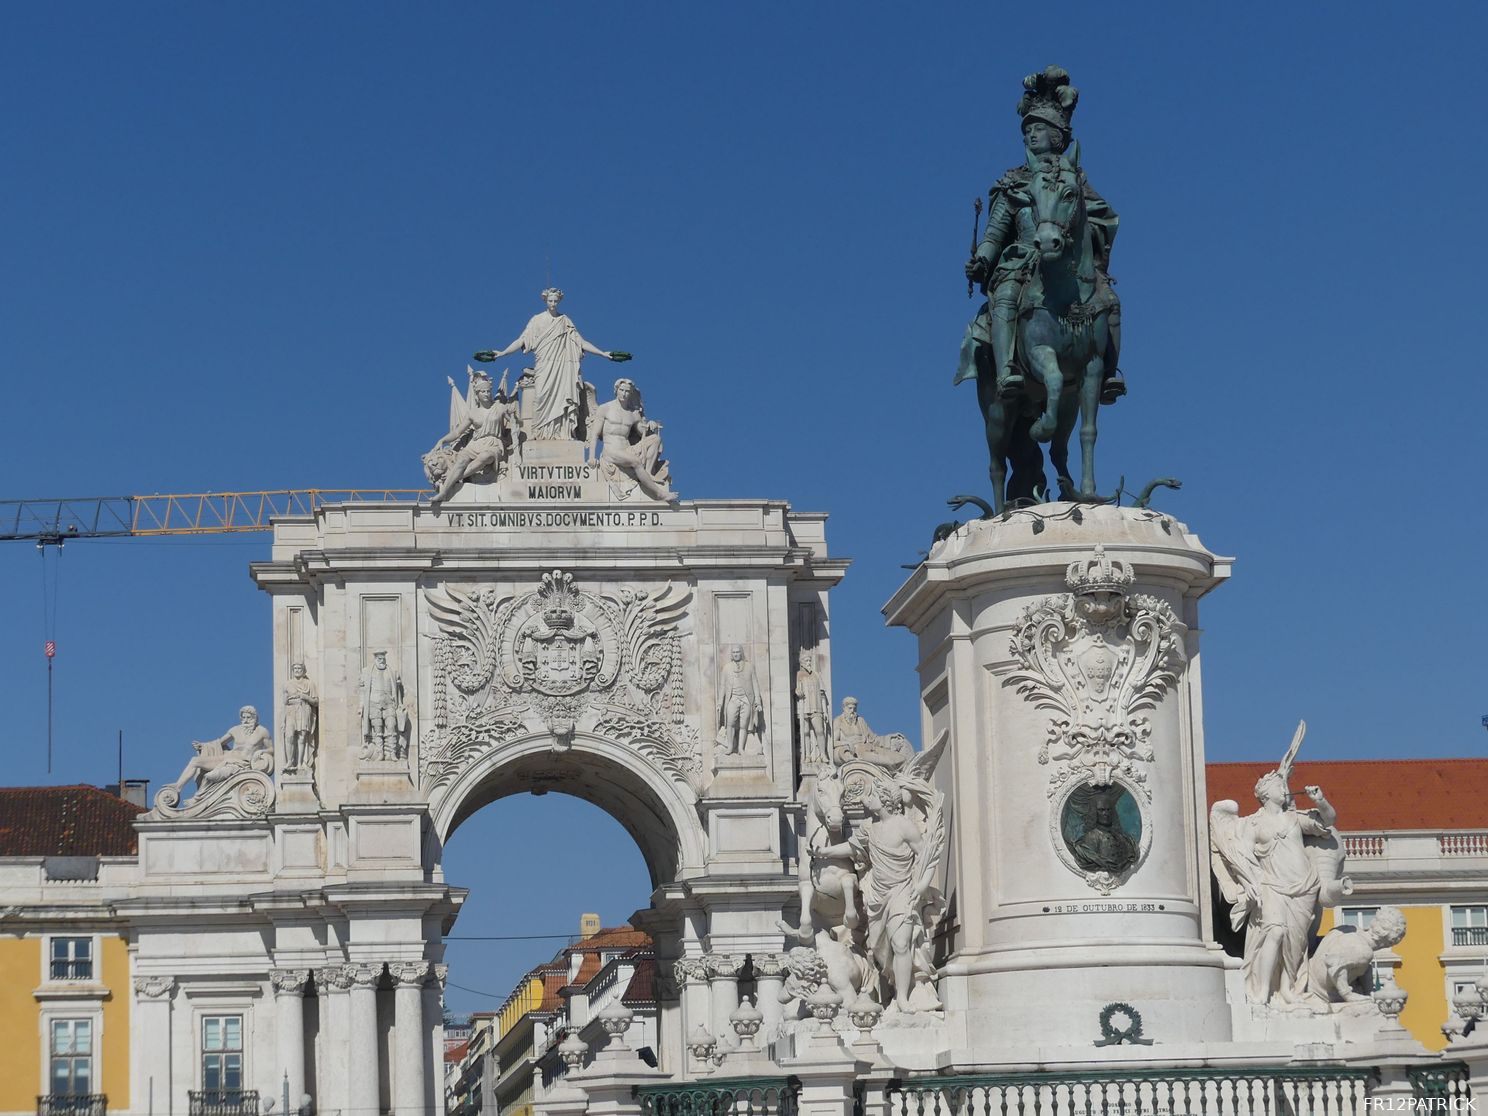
1065 346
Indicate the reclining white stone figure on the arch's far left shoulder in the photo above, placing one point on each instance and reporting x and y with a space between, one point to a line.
233 776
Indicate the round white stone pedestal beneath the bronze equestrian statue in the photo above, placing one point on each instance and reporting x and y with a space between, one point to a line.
1066 682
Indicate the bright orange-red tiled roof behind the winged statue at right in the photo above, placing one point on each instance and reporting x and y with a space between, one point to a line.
1376 794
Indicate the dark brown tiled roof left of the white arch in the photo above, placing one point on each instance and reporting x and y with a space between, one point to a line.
66 822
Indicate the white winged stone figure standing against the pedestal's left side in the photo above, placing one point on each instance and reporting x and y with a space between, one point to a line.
898 855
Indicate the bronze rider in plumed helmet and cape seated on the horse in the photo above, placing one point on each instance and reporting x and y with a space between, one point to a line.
1007 258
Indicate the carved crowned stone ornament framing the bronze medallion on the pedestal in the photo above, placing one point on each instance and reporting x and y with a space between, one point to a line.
1097 658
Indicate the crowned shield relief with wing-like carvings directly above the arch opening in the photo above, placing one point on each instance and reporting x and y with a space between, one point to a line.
559 660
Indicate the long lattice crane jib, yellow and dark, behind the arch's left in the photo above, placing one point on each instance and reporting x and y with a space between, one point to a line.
51 523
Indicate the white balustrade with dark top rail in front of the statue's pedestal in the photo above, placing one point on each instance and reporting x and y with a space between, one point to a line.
1203 1091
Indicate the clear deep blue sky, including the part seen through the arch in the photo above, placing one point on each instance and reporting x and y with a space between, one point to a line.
243 246
